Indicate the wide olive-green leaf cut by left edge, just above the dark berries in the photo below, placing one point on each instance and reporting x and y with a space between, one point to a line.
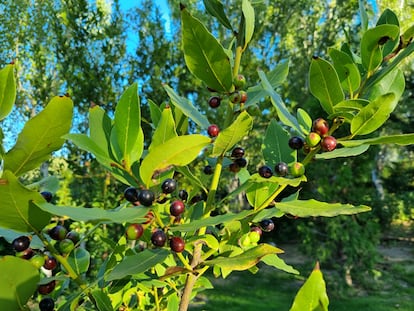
16 210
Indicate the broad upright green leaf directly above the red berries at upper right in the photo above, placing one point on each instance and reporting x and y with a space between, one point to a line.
324 84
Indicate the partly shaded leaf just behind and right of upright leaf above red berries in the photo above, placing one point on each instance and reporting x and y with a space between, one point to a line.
346 69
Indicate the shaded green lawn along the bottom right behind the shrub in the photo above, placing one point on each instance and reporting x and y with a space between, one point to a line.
270 289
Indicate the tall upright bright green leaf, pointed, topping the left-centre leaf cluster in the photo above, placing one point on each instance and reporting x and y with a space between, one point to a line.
127 121
